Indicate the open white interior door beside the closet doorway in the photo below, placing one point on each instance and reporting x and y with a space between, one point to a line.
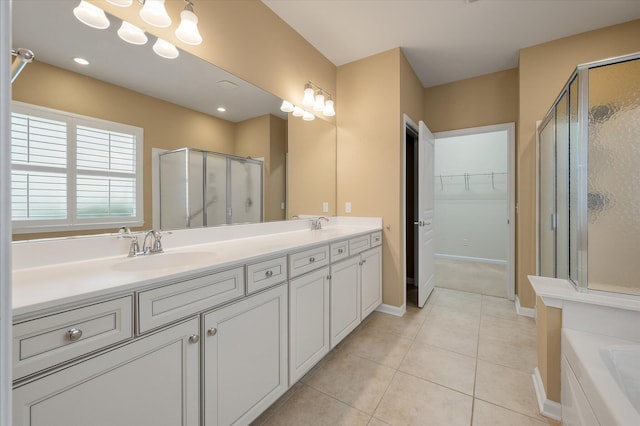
424 224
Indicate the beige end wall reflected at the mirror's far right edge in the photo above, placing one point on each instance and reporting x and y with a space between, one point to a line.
312 166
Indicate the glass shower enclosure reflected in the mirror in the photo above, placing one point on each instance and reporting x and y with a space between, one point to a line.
203 188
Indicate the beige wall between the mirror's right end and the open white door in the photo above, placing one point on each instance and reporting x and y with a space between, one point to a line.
369 154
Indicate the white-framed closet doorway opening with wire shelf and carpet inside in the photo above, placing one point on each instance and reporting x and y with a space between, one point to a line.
474 207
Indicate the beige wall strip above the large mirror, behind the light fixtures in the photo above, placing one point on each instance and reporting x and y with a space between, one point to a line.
247 39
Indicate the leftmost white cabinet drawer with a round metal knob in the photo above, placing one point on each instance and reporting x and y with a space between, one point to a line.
44 342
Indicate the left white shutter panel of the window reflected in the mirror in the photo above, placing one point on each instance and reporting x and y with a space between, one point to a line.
38 176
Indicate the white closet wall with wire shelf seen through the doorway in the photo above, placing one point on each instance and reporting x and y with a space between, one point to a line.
471 212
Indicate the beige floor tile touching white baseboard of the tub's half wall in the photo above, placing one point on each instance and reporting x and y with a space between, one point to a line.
506 387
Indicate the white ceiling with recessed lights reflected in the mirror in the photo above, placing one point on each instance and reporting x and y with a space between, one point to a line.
51 31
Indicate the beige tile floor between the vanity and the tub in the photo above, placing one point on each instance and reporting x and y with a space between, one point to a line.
464 359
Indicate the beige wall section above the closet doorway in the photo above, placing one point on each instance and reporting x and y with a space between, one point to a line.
474 102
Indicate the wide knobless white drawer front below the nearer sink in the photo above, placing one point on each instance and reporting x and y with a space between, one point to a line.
163 305
